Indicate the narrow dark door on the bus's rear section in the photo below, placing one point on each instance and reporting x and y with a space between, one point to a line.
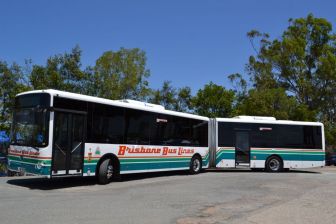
242 148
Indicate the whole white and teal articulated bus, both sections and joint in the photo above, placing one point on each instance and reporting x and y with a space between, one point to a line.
58 134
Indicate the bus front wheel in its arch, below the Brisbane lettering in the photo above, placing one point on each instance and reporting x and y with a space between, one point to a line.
108 168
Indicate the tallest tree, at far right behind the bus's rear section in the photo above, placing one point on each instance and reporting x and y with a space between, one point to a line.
303 62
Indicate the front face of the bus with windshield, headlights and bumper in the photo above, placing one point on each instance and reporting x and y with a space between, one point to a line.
30 151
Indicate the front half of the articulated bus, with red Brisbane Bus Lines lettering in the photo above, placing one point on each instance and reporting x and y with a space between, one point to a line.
56 133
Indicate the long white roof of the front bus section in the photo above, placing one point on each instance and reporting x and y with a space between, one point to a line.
119 103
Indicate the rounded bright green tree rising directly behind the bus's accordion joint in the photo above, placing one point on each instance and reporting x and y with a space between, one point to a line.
214 101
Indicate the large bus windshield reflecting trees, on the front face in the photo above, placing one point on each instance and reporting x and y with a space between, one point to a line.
30 127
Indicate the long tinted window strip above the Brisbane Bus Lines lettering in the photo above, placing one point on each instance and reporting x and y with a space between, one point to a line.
117 125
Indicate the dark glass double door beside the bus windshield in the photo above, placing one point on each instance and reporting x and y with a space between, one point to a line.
68 144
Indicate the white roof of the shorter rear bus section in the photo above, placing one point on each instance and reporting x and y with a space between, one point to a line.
265 120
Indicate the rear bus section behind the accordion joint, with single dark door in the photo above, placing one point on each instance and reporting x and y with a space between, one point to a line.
267 143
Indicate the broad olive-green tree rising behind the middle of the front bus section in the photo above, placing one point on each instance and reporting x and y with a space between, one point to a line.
120 75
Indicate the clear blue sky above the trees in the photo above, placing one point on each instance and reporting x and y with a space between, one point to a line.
188 42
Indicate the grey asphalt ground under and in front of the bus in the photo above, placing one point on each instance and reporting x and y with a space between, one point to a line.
238 196
